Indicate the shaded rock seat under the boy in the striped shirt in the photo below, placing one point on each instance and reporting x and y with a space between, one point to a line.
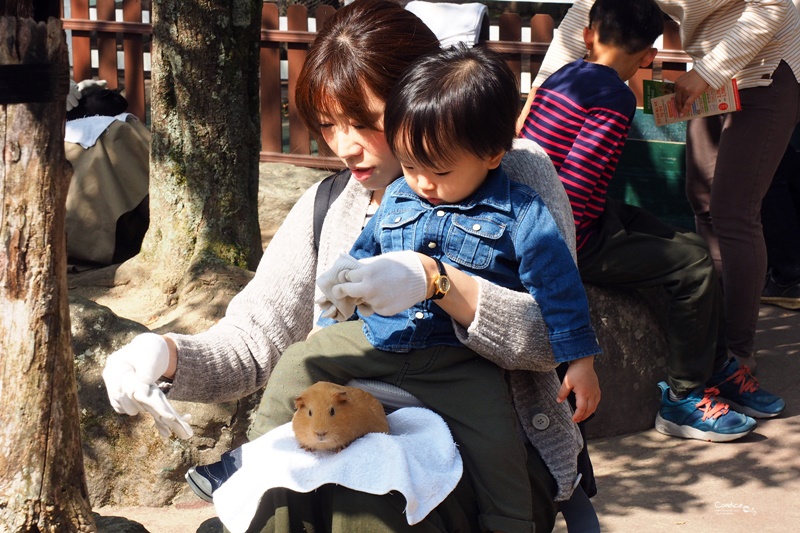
630 328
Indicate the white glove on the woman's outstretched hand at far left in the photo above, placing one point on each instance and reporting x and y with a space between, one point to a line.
130 375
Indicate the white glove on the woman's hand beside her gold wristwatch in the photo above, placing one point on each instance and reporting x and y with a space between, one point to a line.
385 284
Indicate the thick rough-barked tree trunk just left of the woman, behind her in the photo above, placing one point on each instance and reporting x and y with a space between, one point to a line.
206 139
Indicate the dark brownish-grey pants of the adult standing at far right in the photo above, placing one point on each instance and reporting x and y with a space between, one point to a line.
731 160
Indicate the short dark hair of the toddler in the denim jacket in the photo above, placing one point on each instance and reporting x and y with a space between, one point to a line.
454 100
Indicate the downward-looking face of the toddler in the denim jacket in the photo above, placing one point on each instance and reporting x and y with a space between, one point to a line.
452 182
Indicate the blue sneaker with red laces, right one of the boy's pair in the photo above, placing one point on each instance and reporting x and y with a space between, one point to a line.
739 388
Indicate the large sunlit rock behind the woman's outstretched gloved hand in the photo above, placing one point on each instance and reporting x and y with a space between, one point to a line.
127 462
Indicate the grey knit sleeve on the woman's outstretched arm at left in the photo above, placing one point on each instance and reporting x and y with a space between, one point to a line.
235 357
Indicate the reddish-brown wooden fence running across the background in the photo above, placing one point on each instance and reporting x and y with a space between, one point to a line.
122 31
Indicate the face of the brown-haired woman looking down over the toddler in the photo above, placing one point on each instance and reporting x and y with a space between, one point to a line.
363 148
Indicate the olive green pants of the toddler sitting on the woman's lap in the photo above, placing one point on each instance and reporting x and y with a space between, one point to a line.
469 392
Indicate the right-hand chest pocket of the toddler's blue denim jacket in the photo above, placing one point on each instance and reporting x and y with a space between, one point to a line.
473 241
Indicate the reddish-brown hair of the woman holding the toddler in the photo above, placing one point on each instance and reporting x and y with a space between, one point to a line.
363 48
